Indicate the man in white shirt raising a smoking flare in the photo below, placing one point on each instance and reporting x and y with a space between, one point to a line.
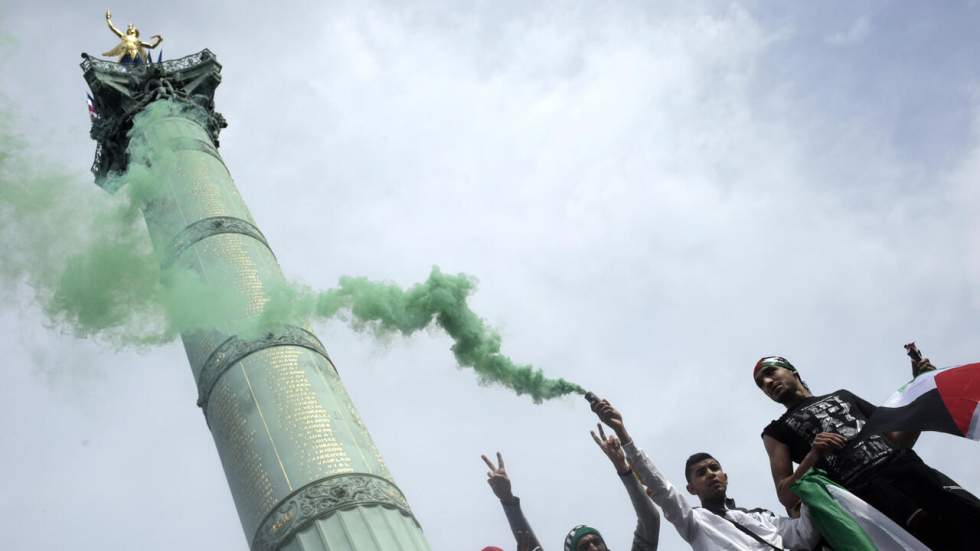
717 524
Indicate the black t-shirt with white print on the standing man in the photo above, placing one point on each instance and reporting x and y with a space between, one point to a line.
840 412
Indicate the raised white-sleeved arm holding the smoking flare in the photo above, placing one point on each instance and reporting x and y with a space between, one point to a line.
674 505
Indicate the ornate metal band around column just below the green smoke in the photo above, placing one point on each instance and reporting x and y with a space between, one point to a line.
234 349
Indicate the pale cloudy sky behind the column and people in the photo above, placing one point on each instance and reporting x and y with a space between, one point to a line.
651 194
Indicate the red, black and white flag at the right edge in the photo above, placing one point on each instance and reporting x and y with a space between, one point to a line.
944 400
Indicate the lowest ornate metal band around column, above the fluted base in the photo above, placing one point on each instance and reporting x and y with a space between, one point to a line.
322 498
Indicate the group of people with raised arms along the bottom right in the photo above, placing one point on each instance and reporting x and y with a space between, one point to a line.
915 507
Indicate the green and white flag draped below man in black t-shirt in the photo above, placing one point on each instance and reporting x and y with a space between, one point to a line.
846 521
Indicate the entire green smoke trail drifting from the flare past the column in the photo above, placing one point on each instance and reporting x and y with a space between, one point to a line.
88 258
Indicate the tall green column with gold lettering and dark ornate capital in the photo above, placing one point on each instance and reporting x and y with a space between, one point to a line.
302 468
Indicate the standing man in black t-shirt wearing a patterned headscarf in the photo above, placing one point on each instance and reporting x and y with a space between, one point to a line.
826 432
